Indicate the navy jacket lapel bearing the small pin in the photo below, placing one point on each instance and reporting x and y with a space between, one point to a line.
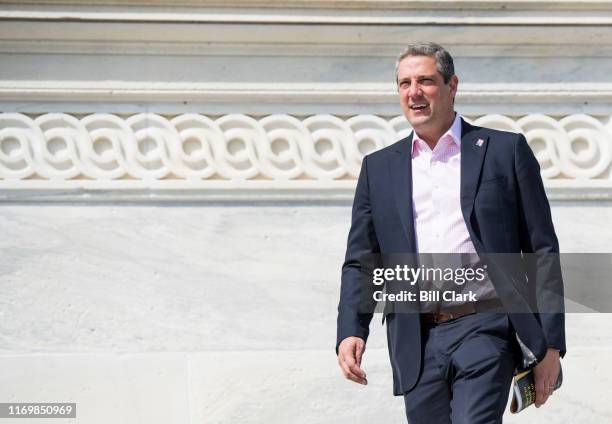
473 149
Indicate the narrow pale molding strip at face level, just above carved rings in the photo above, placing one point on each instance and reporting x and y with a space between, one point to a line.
33 97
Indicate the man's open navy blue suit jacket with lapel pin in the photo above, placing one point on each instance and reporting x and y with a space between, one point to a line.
506 211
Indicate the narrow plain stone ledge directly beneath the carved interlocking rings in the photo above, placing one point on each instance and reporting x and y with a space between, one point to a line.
246 192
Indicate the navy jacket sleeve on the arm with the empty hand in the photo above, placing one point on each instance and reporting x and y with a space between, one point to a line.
352 321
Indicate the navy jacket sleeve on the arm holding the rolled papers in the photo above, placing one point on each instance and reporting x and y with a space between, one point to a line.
539 242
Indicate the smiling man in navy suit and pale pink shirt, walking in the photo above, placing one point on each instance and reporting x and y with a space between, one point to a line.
454 188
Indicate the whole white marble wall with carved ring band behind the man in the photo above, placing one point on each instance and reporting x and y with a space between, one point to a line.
176 186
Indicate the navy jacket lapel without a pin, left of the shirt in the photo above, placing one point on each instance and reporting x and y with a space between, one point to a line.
401 179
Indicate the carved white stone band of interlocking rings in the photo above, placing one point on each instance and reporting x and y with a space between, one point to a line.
62 153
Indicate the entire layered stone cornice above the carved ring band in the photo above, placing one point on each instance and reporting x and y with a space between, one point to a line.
298 57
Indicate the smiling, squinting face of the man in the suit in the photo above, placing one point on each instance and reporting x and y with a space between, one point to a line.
427 102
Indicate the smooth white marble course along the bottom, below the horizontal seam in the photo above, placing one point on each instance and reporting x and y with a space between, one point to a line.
296 386
